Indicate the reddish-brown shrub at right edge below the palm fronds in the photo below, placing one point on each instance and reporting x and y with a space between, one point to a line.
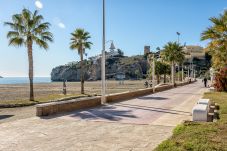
221 80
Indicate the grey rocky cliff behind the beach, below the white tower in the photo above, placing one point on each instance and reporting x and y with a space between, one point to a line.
133 67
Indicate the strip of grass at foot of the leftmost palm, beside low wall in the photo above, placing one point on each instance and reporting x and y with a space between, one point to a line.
49 98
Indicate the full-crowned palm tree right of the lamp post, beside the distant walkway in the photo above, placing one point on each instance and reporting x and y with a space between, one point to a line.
173 53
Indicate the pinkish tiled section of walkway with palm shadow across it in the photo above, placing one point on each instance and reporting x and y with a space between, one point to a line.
142 110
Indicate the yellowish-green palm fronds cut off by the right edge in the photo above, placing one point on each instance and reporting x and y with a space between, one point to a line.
217 34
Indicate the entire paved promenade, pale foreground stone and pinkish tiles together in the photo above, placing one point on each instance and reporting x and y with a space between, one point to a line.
138 124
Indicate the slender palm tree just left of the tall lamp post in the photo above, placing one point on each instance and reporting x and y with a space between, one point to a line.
80 42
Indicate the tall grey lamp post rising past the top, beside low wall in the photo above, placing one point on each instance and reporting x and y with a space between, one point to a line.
103 98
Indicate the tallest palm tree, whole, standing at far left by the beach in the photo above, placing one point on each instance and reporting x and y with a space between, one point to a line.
28 28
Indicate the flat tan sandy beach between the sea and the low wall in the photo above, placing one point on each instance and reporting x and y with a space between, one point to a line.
21 91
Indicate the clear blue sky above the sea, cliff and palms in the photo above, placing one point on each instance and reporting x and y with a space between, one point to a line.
130 23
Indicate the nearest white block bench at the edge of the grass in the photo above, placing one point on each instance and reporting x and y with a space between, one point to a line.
200 112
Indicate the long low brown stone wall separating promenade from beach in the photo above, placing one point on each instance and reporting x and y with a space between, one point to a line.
71 105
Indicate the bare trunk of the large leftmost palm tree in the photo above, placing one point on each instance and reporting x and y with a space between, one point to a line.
30 74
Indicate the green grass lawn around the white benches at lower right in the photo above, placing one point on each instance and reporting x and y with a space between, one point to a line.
201 136
